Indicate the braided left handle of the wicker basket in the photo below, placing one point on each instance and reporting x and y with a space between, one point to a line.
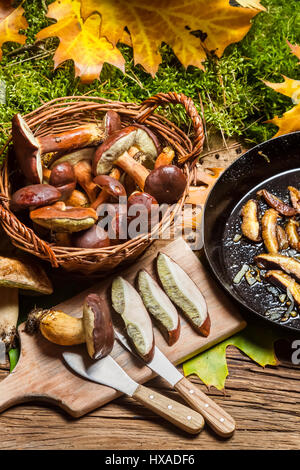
8 219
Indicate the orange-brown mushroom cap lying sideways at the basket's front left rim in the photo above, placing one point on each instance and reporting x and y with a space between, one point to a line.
61 218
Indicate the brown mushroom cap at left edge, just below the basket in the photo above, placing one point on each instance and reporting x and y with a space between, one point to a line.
24 274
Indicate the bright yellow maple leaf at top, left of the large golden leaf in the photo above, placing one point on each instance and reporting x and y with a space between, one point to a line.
80 40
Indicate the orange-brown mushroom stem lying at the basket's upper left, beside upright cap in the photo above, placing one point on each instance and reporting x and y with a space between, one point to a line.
83 136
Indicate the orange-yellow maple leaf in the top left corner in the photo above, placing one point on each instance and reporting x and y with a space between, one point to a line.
11 21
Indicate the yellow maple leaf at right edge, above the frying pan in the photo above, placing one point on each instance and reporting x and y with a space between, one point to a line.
289 121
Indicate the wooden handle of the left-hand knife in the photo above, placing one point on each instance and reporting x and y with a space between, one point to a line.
179 415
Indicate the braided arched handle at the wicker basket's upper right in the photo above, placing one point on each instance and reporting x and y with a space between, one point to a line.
162 99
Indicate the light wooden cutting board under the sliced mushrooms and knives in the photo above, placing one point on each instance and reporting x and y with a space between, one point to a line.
41 374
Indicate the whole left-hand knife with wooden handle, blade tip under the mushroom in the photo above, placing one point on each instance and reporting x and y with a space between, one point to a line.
107 371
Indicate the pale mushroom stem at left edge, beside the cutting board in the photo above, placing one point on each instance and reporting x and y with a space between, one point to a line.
9 312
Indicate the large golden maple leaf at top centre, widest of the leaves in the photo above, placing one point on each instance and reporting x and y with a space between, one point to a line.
172 22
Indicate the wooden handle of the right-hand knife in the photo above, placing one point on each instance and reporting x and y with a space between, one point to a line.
220 421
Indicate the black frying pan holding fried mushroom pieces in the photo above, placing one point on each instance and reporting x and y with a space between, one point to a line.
238 183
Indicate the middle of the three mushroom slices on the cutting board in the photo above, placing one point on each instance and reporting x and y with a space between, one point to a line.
160 307
